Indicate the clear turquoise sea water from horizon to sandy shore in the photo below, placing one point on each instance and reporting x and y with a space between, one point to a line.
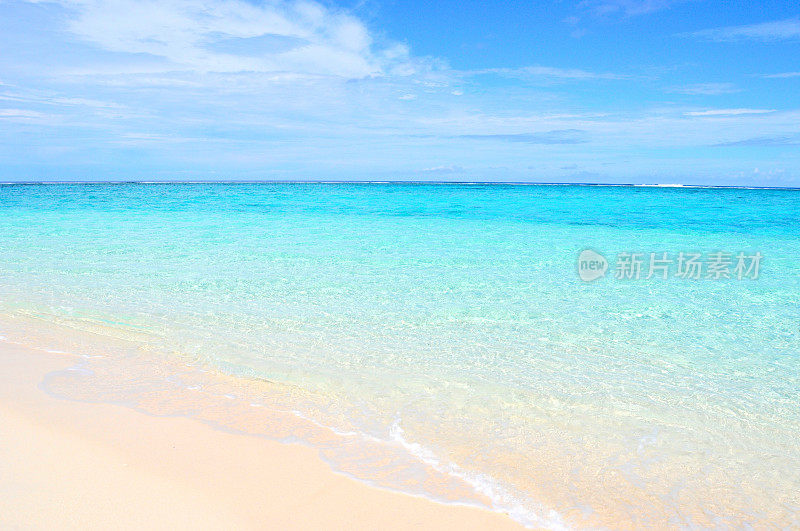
448 323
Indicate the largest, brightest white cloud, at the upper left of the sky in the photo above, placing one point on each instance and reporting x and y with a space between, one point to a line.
233 36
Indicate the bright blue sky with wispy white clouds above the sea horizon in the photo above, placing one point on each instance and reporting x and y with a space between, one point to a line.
599 91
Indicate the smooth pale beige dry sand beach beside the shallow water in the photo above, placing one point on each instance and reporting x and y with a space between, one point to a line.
71 465
